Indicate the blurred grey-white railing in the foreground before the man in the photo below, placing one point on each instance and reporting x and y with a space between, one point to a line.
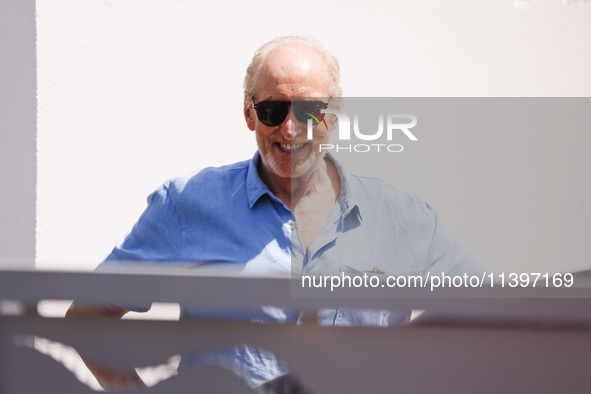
460 345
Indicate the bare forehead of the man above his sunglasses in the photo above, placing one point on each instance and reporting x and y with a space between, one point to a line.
292 71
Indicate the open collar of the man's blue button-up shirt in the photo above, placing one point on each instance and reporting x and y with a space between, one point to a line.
256 188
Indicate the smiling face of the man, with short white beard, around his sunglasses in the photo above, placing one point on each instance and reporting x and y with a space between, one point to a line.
285 149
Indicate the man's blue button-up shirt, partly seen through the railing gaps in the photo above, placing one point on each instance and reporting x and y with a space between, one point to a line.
228 215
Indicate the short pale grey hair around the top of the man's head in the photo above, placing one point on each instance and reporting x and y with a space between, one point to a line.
254 68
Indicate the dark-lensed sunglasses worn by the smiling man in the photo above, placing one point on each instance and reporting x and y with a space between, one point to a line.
273 113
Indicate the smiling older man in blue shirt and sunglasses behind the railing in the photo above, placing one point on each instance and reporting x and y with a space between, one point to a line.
289 209
